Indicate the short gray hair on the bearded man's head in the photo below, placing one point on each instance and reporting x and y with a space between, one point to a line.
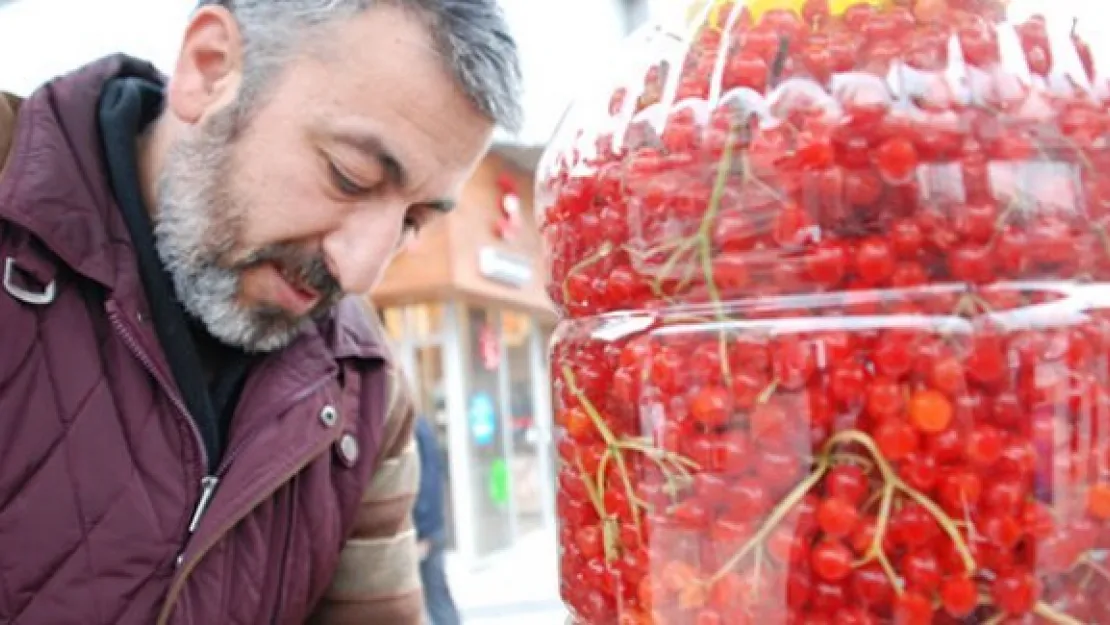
471 36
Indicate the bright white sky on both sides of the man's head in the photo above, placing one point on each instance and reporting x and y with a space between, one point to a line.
561 42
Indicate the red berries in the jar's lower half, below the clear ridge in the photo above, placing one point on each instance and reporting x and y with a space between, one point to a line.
851 469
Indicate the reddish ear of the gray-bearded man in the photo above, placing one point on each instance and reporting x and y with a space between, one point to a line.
209 67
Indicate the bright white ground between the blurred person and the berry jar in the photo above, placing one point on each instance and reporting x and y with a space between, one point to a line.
517 588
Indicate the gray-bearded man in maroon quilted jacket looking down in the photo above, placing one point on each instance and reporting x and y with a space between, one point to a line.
200 424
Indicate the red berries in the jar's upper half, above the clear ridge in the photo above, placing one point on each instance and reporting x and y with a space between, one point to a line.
834 184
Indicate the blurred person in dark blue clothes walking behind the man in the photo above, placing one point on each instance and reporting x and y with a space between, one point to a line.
431 529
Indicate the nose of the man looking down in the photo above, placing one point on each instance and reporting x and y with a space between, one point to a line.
357 254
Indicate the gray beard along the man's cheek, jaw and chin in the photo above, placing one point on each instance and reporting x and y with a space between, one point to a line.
198 226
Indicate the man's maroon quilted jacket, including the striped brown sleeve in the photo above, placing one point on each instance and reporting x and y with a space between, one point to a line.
102 469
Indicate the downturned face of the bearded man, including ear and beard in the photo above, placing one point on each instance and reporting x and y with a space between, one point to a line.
266 224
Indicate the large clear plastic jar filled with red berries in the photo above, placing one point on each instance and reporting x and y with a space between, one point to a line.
836 329
